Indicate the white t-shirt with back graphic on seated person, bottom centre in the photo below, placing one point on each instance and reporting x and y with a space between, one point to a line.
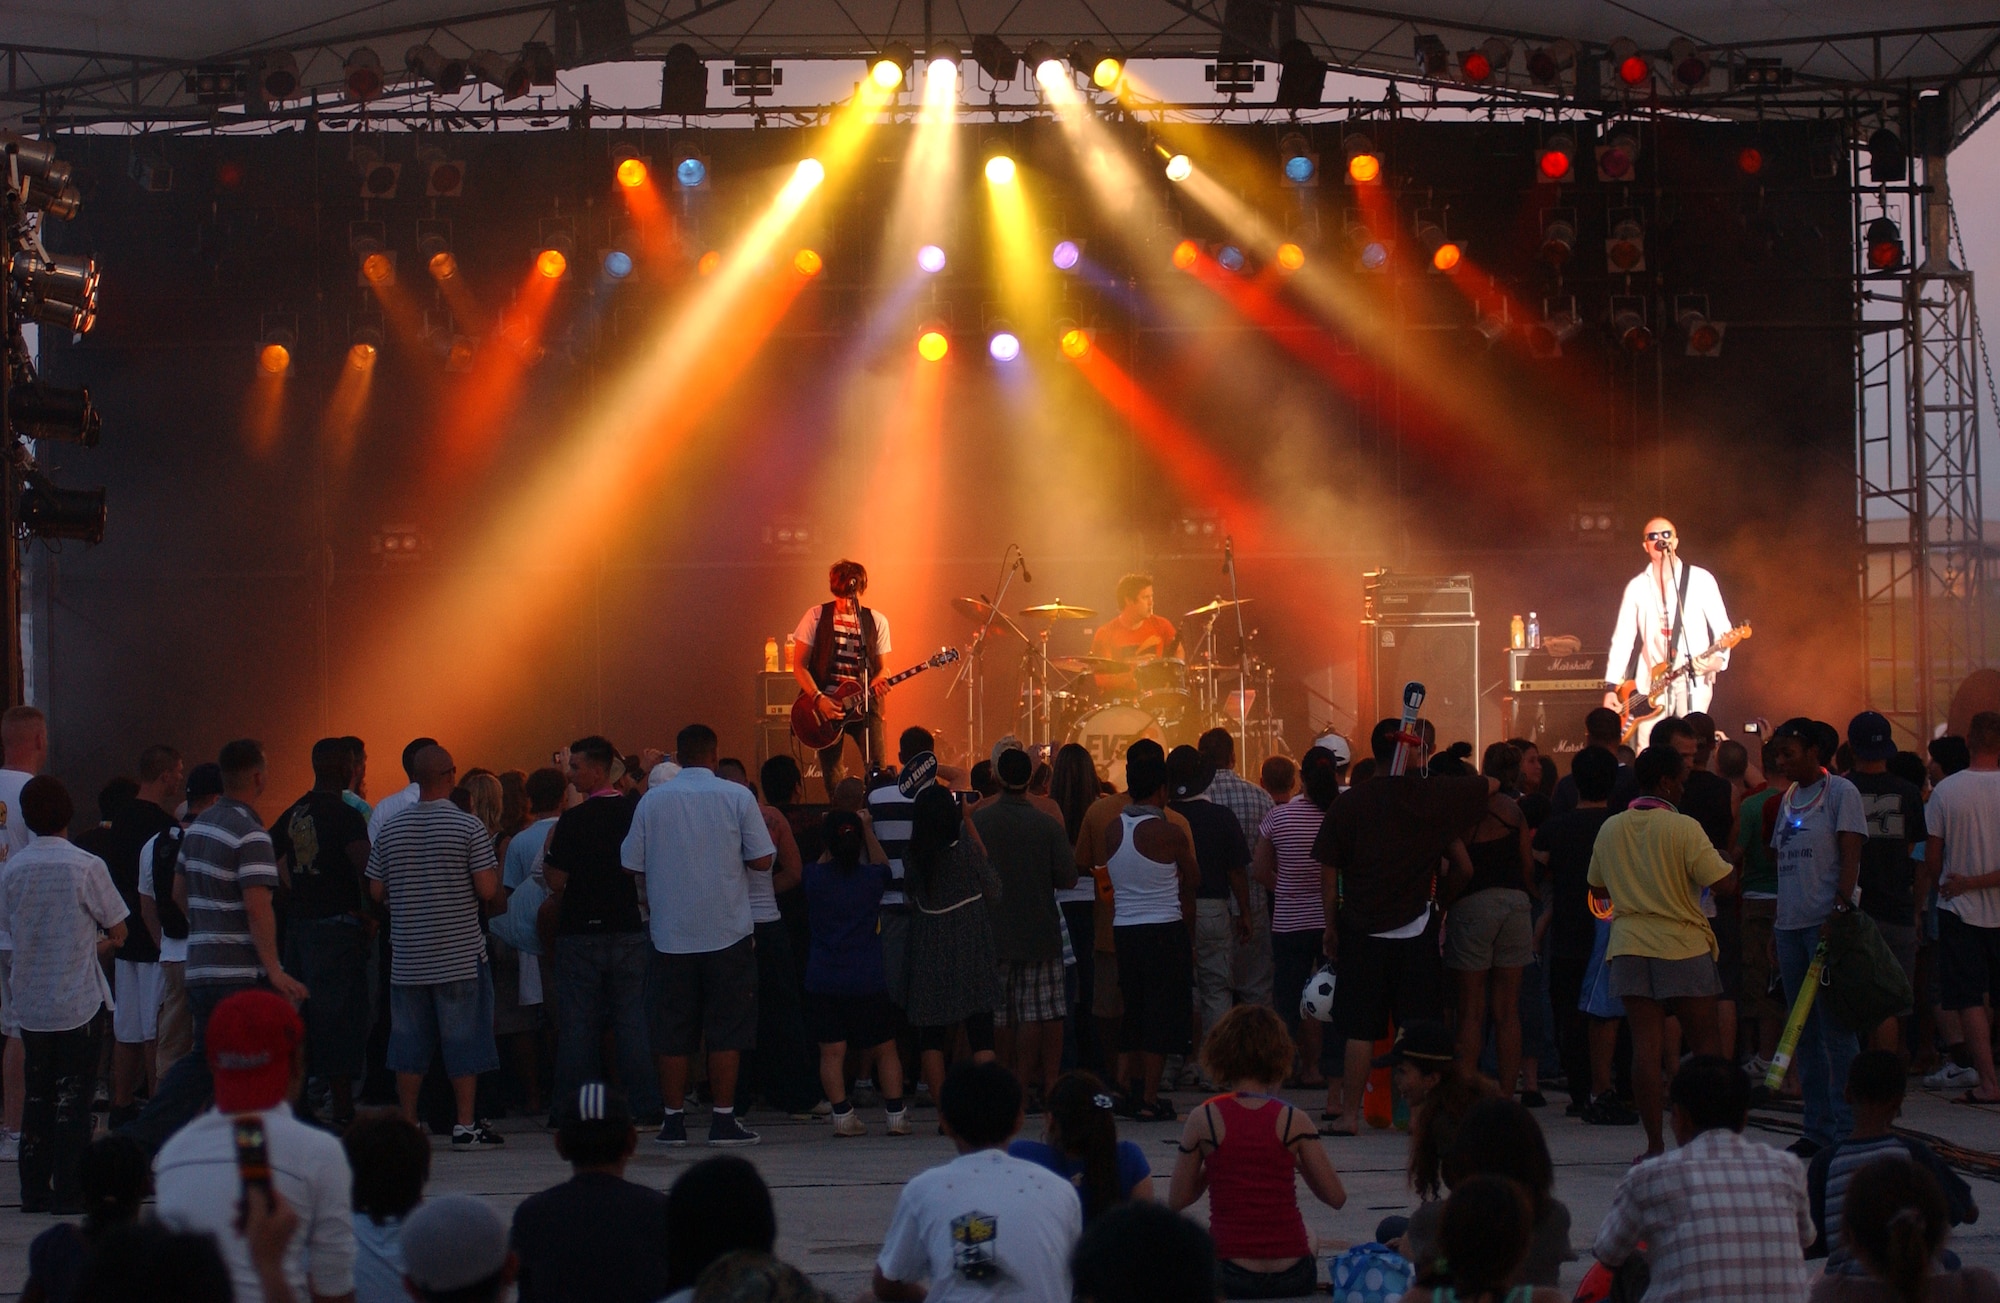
985 1226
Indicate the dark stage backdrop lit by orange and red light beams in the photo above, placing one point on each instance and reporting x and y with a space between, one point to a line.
241 593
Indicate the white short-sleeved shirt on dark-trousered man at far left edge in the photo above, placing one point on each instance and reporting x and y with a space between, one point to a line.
59 900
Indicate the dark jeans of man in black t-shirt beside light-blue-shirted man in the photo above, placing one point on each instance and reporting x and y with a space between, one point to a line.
601 982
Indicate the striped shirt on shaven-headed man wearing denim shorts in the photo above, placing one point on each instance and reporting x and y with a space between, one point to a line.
425 860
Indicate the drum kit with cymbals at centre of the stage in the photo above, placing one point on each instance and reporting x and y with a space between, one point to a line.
1109 704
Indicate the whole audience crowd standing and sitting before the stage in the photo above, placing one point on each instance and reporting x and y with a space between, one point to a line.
653 934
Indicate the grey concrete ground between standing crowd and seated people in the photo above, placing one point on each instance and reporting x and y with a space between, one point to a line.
835 1198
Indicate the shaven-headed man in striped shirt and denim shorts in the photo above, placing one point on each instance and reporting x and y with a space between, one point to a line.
433 866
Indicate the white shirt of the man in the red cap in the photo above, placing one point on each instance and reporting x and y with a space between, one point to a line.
199 1188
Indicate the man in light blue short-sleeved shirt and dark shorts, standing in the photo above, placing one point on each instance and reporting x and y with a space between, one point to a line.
697 842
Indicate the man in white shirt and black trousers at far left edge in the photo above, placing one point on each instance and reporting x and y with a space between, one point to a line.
67 918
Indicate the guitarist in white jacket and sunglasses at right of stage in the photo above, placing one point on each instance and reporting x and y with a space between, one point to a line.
1669 611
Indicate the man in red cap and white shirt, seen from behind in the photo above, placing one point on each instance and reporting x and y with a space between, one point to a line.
257 1056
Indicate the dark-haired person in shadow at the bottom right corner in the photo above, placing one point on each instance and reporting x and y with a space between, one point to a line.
1895 1232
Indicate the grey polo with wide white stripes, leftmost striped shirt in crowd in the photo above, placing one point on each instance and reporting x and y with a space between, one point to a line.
223 852
